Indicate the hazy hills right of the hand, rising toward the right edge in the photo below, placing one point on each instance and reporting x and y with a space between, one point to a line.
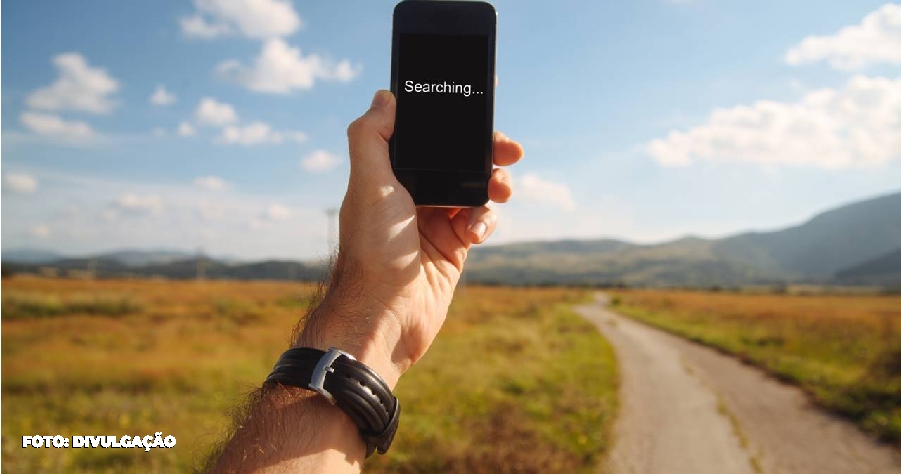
811 252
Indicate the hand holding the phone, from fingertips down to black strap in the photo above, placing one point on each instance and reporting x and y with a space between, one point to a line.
397 265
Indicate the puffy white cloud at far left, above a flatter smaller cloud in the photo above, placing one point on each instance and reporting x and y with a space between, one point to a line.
79 87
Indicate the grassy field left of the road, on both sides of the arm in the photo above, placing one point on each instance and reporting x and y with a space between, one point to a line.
515 383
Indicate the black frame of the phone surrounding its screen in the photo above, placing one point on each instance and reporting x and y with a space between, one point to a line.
447 188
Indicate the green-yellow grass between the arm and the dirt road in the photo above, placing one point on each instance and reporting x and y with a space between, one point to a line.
513 385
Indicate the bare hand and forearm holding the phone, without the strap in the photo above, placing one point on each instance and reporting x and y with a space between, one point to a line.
389 295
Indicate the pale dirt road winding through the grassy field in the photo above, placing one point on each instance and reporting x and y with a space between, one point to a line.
687 409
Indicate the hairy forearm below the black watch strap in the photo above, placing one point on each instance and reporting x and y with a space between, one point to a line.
288 429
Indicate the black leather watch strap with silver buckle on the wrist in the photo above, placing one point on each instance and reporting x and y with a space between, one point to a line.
347 383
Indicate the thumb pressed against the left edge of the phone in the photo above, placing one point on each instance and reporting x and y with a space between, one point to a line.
368 139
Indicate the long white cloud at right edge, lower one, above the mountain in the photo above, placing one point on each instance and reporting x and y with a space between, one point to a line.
859 125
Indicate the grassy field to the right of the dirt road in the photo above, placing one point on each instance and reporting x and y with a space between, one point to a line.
844 350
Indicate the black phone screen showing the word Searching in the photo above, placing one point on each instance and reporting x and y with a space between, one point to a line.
442 102
